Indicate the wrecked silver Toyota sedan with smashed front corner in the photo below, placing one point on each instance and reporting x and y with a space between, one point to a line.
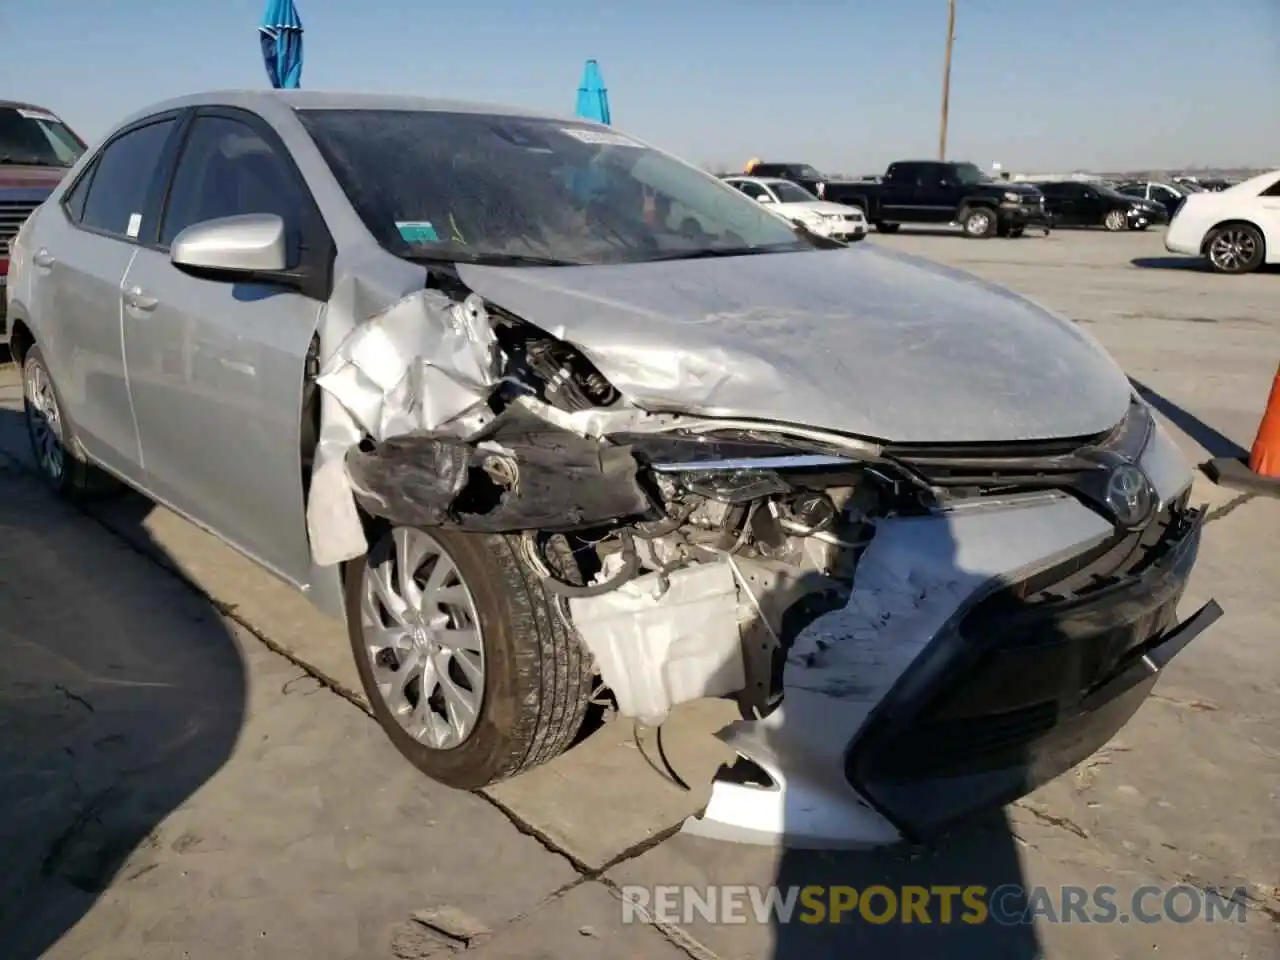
547 417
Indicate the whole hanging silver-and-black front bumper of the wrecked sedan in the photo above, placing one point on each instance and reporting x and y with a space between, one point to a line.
984 652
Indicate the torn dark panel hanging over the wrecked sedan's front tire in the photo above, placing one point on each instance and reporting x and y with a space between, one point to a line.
552 482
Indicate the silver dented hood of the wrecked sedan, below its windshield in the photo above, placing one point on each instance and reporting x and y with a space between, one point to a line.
861 341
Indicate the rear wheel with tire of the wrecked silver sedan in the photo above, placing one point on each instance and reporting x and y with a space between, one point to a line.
53 440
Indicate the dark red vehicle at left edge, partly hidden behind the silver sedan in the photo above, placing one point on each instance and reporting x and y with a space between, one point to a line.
36 152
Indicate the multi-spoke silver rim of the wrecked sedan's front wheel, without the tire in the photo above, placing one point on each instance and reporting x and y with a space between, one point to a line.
423 639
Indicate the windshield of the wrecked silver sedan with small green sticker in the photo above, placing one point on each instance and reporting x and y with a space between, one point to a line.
490 189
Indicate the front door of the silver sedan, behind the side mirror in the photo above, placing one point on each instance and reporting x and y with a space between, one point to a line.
217 367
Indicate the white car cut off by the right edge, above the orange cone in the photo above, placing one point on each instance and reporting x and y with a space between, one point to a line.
1237 230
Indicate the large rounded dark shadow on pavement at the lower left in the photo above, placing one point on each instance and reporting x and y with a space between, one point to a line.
121 694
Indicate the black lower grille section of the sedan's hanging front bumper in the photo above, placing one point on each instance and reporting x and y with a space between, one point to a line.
1027 685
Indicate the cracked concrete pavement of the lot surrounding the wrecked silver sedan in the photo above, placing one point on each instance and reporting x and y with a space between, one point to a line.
237 790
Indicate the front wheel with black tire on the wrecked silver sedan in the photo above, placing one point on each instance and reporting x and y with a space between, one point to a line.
534 683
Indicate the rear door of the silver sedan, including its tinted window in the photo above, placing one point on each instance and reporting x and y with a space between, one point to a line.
81 252
